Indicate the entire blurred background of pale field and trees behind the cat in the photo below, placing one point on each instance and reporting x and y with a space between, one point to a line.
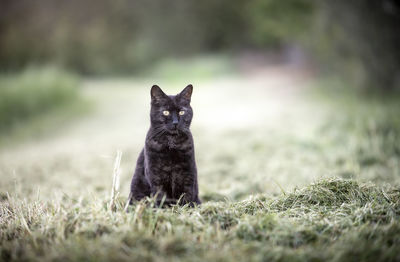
285 91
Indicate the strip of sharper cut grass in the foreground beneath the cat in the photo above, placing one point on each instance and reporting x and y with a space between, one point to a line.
331 220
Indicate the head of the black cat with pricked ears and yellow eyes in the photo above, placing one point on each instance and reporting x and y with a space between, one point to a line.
172 114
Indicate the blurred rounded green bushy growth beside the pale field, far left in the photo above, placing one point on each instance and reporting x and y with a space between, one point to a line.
34 92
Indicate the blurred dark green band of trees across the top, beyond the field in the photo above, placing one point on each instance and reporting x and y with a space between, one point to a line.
359 38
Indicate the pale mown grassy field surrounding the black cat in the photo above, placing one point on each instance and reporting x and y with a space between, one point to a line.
286 173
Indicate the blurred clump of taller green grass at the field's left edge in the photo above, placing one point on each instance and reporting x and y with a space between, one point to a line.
32 99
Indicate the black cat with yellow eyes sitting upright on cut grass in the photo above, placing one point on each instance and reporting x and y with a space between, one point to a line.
166 167
